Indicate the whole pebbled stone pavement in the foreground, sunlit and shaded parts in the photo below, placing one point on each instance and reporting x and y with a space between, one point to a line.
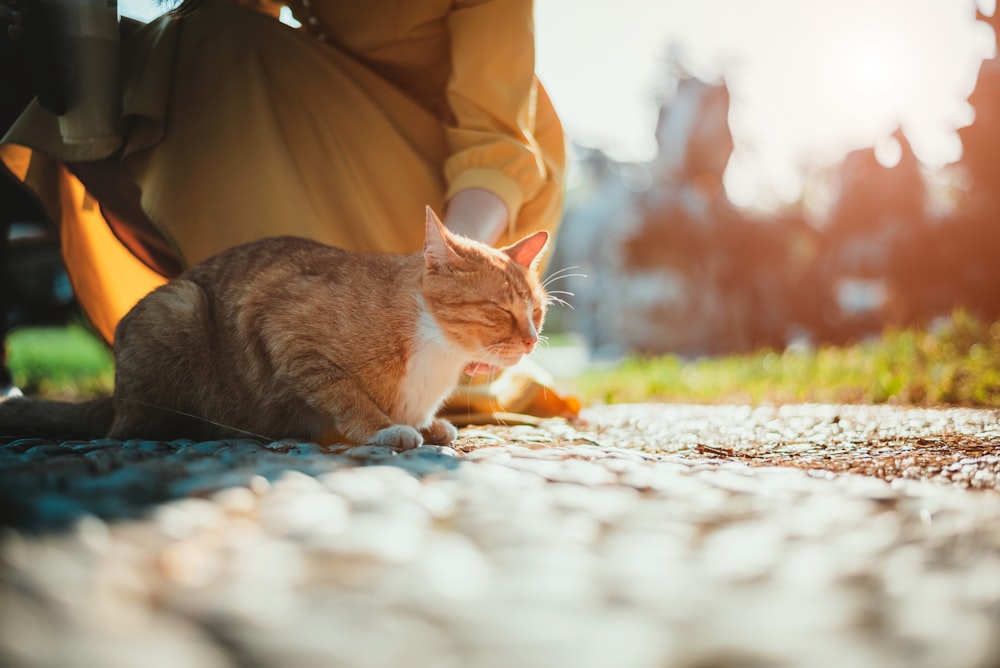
647 536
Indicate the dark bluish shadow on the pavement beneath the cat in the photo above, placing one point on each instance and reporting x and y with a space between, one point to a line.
46 485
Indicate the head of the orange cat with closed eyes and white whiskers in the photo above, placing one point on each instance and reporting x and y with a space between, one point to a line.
487 300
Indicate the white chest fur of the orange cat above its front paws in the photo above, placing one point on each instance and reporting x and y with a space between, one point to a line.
432 372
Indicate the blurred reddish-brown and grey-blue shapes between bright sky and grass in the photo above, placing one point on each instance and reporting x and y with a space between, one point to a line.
673 266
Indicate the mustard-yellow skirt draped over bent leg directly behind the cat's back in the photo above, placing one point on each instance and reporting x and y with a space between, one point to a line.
269 131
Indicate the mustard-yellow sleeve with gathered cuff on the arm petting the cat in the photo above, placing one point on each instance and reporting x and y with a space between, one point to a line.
493 95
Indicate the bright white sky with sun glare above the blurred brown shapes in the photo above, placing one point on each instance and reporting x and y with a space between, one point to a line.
809 79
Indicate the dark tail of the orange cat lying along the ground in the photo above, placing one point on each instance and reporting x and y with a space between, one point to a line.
38 418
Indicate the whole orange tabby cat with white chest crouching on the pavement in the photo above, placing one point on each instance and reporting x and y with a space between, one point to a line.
290 338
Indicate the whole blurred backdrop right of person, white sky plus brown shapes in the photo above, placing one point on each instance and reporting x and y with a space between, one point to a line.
775 173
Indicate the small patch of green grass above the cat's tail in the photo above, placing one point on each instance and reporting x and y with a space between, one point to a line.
60 362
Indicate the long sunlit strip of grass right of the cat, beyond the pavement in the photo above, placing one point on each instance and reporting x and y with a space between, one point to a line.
956 364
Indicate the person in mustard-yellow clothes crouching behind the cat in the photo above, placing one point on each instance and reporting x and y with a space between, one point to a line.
237 127
